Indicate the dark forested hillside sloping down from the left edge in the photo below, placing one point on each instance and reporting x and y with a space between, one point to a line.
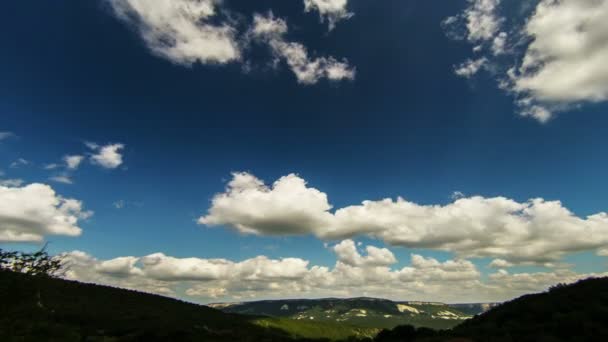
47 309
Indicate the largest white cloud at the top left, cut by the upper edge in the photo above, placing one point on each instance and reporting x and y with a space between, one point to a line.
182 31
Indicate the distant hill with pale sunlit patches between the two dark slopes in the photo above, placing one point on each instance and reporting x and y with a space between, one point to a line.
358 312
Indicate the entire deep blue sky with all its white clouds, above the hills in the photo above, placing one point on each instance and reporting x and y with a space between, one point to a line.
236 150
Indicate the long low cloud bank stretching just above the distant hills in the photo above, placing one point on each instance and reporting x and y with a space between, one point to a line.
424 278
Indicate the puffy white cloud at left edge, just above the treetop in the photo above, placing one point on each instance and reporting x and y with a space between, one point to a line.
31 212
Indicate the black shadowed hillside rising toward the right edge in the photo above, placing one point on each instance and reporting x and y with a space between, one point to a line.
575 312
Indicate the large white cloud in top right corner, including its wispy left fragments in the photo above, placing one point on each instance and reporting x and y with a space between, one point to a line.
558 51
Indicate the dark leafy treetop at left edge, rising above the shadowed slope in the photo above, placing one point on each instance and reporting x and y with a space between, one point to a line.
38 263
